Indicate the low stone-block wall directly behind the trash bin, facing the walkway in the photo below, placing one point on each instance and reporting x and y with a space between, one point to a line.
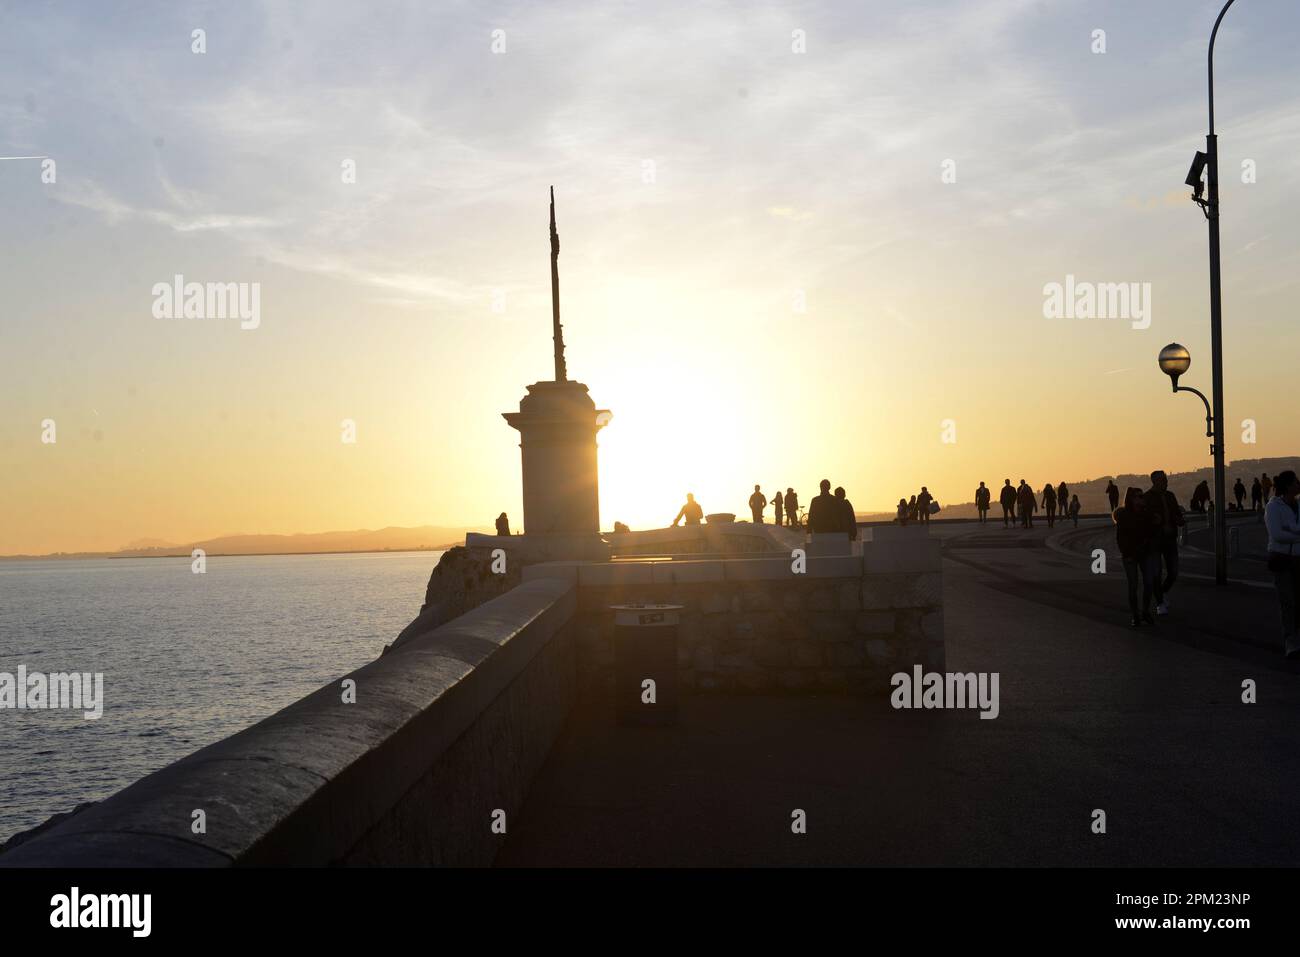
846 625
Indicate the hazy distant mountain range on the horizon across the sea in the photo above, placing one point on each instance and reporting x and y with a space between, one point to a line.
421 539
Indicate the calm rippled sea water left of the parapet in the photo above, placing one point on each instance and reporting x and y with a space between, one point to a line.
188 660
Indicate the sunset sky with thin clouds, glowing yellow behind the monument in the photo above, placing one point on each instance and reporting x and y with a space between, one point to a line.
799 241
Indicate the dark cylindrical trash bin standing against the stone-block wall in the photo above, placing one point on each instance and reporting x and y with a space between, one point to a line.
645 651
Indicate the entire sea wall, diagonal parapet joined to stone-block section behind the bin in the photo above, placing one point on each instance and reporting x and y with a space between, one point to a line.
448 730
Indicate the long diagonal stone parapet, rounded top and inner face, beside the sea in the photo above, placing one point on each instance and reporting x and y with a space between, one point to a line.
445 733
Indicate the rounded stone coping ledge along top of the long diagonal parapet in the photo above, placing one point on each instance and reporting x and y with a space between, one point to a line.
271 800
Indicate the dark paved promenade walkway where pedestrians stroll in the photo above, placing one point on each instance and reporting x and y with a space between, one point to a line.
1147 725
